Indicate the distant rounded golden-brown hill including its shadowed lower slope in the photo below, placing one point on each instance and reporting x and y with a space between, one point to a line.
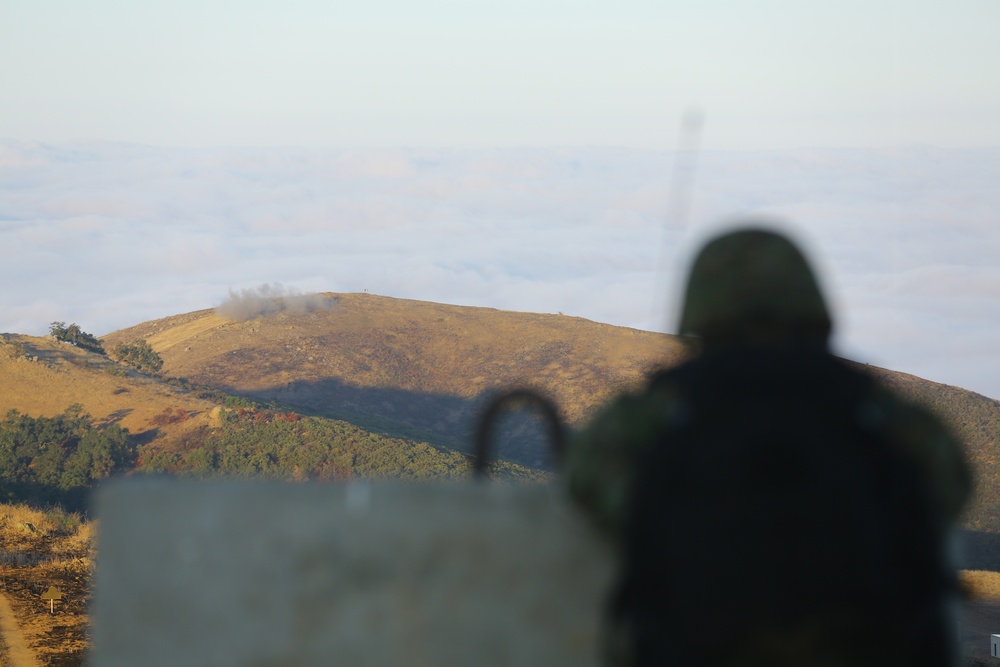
416 367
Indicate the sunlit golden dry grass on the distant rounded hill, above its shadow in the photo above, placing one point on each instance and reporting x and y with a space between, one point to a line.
375 342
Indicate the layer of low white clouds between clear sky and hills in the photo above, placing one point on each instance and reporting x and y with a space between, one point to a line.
109 235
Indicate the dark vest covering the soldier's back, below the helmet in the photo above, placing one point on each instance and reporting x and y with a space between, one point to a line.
777 519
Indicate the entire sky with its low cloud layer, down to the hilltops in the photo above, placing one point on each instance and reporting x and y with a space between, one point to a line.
518 155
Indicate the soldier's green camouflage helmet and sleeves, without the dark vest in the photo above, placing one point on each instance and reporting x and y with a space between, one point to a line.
749 289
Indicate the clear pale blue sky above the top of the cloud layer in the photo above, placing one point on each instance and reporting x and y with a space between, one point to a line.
767 74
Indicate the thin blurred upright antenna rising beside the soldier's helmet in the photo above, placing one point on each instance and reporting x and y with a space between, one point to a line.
678 201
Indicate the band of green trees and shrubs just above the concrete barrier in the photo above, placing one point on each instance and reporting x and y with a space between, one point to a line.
59 460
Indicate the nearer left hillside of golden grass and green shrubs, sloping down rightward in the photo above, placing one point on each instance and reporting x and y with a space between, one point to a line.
69 418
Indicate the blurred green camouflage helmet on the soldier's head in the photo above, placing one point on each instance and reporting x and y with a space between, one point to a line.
753 286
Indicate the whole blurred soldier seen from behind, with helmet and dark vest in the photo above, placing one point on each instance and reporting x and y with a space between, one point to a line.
774 505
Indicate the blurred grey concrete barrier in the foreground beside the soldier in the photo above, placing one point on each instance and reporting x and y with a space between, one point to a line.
253 574
